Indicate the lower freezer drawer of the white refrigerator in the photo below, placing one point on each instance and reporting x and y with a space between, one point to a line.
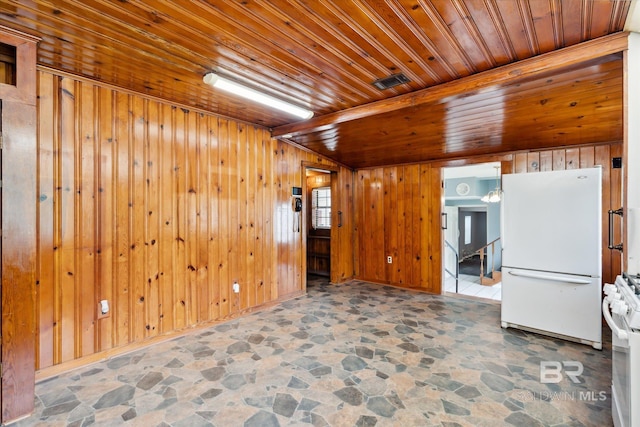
556 303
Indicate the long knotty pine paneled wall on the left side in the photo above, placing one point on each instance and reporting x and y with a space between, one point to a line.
158 210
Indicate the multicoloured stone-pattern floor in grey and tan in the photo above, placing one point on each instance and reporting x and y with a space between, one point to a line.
355 354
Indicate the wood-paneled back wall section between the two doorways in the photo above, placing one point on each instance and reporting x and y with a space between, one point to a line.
395 211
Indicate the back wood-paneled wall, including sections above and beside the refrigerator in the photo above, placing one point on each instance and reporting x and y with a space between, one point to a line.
397 213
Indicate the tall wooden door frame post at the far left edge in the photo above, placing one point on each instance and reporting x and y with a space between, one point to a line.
18 254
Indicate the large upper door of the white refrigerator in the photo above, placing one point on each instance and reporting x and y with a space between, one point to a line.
552 221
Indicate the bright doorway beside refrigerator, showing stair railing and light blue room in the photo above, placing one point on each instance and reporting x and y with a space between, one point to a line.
471 238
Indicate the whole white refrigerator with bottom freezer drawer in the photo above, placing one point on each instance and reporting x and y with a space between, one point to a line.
552 253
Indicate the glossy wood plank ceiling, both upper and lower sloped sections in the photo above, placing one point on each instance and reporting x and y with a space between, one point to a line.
325 54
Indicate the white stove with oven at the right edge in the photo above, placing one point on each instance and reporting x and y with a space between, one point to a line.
621 310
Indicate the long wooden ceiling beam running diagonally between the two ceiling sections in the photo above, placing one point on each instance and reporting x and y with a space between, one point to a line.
500 76
